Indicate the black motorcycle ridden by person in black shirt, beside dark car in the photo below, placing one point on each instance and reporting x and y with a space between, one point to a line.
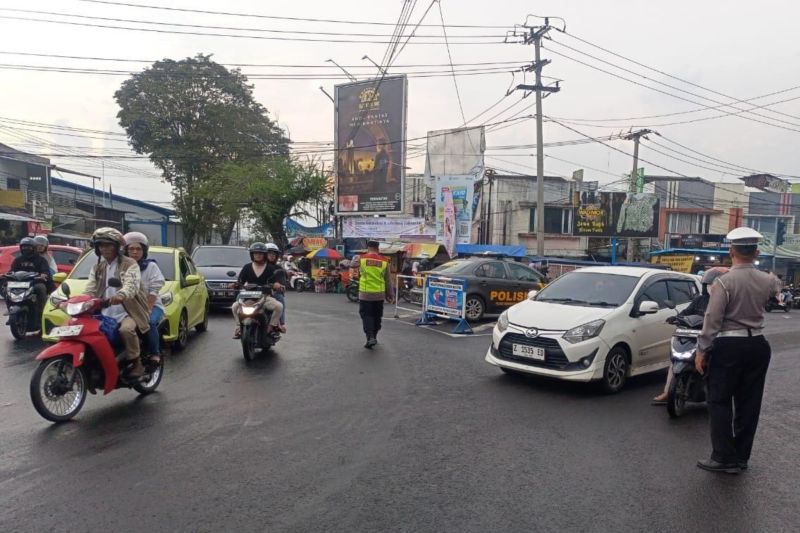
253 321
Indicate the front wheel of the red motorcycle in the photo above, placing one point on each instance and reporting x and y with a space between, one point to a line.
48 389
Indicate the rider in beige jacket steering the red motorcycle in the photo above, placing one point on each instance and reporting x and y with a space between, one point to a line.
128 304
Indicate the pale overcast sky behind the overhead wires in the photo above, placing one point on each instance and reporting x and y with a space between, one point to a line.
724 46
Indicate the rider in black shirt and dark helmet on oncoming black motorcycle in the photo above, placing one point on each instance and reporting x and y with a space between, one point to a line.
263 271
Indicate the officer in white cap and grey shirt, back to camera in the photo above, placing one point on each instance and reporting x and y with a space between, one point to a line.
735 355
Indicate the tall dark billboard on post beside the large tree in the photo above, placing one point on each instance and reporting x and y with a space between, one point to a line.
370 131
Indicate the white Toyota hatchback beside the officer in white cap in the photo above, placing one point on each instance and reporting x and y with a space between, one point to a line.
593 324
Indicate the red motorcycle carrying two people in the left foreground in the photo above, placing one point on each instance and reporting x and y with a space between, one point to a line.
83 360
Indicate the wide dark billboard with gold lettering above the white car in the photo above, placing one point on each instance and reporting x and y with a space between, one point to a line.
617 214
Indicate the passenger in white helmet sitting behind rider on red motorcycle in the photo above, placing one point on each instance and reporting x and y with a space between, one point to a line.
136 247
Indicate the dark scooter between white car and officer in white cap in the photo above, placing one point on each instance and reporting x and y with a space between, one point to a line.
687 383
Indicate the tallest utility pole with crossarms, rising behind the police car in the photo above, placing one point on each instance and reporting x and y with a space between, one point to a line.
534 36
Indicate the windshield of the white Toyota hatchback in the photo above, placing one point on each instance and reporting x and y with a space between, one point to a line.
589 289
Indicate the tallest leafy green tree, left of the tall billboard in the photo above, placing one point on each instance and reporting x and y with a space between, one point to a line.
192 117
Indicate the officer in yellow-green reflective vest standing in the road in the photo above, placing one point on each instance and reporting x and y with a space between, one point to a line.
374 286
